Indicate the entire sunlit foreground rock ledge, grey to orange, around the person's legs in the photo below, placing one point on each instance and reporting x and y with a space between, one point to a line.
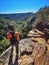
32 51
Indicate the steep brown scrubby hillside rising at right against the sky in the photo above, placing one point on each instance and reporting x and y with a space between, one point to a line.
41 18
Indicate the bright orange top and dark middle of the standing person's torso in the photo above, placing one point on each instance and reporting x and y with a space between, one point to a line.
13 37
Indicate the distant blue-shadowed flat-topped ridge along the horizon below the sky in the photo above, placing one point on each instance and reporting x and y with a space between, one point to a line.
18 16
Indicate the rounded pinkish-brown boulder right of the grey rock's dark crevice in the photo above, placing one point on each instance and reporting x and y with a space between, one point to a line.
39 49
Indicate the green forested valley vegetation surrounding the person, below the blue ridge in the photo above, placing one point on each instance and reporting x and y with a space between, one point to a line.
21 26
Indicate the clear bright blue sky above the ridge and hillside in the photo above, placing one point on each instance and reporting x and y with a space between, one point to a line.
22 6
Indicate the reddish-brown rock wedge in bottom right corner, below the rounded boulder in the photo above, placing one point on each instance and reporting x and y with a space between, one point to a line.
43 60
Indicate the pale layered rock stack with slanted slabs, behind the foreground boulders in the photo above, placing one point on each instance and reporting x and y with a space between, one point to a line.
35 33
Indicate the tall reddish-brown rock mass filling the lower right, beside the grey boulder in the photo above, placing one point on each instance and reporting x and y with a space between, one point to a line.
41 54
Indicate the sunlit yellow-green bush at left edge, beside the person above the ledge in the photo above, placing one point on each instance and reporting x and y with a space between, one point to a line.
4 44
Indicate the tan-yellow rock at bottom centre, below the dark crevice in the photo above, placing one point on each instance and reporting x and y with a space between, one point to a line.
26 60
